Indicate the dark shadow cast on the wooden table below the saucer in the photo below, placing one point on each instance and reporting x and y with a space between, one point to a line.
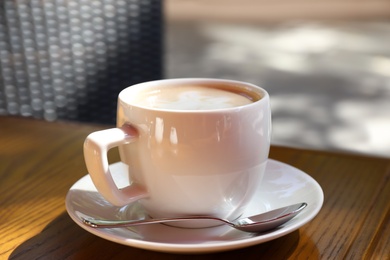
63 239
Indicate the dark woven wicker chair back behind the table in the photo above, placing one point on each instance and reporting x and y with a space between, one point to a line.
69 59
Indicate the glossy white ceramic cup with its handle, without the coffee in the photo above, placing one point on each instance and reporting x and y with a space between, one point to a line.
185 162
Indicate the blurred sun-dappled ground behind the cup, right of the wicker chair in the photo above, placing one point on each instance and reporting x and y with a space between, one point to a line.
326 64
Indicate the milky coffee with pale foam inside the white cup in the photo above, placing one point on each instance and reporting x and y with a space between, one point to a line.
192 97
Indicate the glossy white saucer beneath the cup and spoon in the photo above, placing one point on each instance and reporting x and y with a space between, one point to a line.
282 185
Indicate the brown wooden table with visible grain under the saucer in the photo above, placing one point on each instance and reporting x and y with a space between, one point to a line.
40 161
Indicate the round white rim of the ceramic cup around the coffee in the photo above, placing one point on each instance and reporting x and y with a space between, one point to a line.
246 85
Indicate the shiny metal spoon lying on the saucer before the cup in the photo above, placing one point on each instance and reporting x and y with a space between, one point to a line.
257 223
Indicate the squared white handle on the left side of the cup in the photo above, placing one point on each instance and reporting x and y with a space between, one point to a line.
96 146
